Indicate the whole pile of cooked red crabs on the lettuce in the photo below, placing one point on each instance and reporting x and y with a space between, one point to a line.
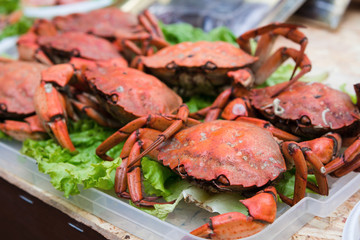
117 69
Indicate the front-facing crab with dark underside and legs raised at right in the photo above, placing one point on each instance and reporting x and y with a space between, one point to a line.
203 67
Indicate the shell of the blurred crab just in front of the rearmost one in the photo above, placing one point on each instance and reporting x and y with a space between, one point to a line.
76 44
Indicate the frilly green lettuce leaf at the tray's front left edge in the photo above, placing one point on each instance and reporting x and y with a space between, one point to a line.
67 170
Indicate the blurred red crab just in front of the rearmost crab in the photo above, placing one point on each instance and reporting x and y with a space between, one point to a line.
53 47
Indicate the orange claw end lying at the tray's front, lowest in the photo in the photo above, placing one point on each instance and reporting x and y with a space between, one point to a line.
233 225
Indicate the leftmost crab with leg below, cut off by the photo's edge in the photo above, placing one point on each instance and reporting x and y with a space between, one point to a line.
18 82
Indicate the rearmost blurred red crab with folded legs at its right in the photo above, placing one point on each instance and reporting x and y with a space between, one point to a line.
109 23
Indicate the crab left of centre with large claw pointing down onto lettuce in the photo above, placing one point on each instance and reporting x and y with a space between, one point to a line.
123 92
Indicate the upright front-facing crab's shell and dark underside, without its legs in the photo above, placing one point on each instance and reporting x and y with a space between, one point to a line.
197 68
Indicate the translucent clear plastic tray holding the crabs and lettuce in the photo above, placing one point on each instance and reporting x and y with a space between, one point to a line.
186 217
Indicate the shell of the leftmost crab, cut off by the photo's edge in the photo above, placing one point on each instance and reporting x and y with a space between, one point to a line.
18 81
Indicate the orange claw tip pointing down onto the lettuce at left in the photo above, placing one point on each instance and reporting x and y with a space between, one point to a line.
59 129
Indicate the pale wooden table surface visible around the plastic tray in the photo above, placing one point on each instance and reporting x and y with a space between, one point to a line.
336 52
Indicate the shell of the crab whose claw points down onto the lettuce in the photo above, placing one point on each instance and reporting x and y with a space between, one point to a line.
128 93
